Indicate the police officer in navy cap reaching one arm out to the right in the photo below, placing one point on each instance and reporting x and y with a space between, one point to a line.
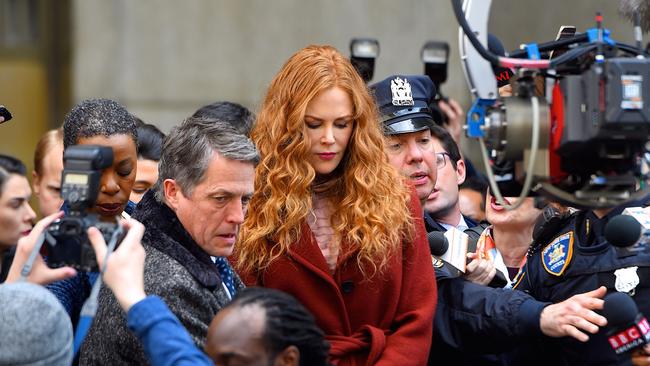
471 320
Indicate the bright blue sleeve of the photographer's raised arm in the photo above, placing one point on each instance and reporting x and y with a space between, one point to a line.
163 338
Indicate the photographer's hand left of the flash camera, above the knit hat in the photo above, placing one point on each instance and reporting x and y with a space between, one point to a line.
41 274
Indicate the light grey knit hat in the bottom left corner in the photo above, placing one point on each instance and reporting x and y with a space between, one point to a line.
35 328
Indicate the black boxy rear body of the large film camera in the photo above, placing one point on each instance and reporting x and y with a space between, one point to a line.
607 122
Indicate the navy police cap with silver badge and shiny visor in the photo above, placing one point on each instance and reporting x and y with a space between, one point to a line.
404 102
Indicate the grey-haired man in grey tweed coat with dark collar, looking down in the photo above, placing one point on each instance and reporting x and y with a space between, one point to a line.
192 217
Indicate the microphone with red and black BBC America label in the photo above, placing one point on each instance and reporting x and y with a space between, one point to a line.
629 329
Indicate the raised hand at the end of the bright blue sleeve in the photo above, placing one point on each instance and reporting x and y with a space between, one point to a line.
124 273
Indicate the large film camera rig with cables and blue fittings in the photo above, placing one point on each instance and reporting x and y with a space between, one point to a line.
582 143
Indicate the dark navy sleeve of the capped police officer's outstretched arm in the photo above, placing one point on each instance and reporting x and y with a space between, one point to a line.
483 319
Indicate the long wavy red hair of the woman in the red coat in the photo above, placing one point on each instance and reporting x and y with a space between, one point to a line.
370 199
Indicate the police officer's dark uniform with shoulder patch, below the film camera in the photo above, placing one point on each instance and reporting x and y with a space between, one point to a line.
575 257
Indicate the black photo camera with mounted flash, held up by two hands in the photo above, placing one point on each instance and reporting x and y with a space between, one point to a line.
80 184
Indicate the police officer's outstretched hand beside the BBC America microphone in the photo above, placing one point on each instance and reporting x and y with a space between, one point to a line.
575 315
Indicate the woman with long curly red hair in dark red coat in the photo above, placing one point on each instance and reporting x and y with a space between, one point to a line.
331 222
